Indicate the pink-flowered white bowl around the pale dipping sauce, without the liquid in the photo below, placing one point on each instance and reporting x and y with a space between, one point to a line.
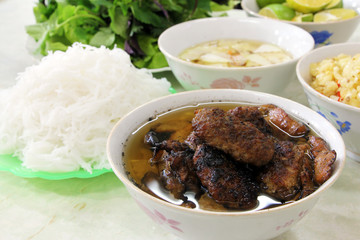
272 79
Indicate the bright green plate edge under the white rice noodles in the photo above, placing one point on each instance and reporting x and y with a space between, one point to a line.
12 164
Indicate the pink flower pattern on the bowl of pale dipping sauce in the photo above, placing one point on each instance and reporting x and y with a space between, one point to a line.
234 83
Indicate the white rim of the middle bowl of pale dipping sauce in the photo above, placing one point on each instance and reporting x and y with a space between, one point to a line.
242 20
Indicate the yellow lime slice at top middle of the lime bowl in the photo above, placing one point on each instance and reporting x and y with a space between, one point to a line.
308 6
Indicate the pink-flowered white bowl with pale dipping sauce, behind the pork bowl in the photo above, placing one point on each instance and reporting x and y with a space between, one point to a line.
224 52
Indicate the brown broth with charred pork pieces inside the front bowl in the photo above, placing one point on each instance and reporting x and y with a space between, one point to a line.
226 156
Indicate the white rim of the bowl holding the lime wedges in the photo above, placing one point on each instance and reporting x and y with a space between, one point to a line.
245 7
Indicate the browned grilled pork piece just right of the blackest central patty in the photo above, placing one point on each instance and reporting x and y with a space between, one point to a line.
281 177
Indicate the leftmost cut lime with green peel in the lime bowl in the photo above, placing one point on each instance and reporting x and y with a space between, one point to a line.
278 11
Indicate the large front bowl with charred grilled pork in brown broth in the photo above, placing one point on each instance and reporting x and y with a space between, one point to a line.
225 163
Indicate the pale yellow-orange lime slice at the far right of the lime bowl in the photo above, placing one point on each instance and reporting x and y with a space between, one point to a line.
335 14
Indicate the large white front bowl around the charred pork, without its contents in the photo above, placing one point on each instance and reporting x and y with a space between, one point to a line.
200 224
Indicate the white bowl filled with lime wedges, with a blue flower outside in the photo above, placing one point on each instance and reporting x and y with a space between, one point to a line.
328 21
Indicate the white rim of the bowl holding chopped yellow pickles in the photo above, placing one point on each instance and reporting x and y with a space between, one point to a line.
310 89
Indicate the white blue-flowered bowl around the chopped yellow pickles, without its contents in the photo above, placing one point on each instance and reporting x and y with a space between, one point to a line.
344 117
